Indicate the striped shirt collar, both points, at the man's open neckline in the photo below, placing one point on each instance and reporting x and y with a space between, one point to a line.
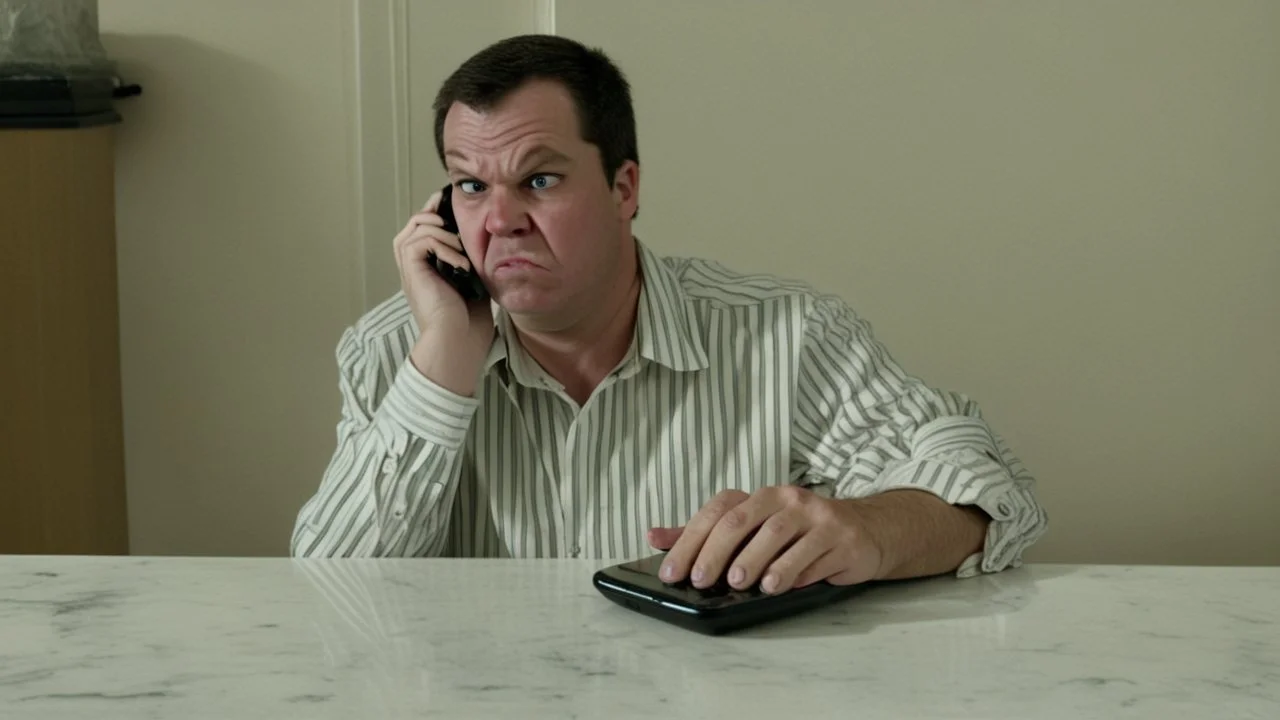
666 329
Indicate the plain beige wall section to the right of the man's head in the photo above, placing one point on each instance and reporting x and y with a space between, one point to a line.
1069 211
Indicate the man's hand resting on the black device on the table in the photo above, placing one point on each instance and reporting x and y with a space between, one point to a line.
801 539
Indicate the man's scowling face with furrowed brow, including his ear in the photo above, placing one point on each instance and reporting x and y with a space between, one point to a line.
537 216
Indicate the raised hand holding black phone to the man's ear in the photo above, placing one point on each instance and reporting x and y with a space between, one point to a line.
454 335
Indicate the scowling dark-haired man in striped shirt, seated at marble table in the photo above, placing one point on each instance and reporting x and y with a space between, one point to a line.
611 400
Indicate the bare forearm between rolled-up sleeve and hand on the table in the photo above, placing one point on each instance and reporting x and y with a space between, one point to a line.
920 534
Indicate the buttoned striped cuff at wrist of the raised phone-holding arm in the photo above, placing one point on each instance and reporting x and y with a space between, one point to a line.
418 407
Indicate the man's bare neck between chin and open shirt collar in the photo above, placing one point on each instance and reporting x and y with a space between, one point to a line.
583 356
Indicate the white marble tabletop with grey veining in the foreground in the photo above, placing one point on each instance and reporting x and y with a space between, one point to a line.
190 639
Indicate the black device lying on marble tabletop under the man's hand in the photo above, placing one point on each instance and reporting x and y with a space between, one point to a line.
716 610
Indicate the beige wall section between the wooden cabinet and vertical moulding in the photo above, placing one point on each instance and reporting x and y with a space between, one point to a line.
236 265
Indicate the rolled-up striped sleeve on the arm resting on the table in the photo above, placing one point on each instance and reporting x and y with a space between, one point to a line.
862 426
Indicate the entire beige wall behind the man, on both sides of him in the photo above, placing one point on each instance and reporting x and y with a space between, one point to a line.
1067 211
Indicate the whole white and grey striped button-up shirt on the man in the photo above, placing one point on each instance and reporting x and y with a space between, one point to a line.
732 381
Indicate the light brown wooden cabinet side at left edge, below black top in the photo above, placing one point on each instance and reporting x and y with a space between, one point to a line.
62 458
